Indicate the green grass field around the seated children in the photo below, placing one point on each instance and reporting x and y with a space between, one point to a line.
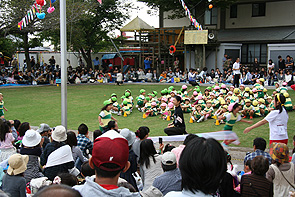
42 105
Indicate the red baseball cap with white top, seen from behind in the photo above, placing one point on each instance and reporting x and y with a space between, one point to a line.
110 147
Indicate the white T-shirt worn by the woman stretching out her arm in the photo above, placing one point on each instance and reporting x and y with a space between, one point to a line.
278 124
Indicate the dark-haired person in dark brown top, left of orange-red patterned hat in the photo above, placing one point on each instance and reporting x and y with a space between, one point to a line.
256 184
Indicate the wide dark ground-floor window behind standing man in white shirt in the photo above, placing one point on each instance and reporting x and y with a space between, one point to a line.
252 51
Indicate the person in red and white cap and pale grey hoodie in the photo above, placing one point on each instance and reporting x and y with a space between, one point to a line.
109 159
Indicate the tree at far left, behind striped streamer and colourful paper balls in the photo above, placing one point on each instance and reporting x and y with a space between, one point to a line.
12 11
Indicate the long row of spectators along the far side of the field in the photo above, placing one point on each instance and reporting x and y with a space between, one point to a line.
281 72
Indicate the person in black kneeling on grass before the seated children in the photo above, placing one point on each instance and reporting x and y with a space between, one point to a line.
177 127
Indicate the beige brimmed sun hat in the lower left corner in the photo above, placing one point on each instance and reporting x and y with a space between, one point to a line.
17 164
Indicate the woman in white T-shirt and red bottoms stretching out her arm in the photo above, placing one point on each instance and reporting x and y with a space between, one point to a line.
277 119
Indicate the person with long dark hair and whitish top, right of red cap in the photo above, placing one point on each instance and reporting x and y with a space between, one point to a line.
150 163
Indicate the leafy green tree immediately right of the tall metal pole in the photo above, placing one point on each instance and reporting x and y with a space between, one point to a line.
92 32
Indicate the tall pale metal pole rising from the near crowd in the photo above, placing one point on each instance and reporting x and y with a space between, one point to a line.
63 46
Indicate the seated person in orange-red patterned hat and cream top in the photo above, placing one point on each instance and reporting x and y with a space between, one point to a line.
281 171
